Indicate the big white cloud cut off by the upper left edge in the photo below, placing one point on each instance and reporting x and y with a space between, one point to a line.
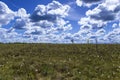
6 14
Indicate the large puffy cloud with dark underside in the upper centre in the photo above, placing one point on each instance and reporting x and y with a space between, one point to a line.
50 12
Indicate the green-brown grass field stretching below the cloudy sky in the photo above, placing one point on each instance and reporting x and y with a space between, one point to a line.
59 62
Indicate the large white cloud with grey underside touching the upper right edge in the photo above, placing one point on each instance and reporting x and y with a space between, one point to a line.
107 11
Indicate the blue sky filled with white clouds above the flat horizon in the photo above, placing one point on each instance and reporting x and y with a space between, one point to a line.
60 21
